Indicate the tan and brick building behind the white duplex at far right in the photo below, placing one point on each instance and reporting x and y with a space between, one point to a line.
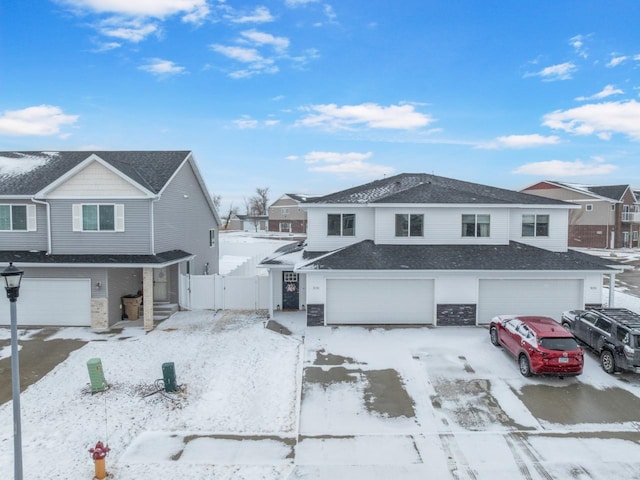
608 216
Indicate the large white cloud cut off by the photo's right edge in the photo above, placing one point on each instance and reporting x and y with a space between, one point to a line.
601 119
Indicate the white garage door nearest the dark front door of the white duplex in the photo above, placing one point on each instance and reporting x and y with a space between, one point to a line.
366 301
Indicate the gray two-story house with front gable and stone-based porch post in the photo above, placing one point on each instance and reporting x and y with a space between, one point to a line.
91 228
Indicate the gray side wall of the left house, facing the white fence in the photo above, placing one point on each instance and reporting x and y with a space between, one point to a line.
182 220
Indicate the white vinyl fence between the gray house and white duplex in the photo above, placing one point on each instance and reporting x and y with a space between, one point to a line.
223 292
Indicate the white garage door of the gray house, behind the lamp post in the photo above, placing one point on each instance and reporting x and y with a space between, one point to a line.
47 301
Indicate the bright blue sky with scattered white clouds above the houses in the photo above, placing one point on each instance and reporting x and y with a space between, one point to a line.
306 96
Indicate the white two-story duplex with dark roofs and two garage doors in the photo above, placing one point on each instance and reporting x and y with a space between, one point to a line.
428 250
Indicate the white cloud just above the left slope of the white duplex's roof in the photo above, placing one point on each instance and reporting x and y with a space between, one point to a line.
351 163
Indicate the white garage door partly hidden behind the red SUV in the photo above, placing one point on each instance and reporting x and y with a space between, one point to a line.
547 298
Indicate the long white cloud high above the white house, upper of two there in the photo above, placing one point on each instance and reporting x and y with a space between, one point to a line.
332 116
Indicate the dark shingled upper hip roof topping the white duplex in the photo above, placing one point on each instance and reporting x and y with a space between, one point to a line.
430 189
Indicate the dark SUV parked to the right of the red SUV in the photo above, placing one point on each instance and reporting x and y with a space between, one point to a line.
614 333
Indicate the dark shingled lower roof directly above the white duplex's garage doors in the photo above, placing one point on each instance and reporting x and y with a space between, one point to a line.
367 255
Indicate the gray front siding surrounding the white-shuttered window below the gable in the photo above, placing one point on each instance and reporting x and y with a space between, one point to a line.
135 240
